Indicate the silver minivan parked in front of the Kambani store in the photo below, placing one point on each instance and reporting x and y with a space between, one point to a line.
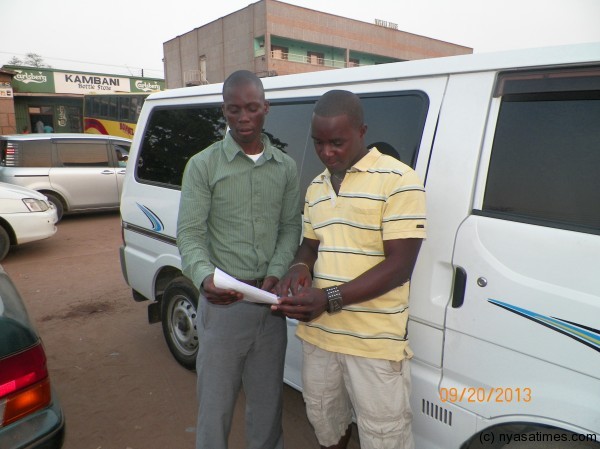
76 172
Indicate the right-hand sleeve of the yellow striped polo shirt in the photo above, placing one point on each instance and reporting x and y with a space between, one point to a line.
404 213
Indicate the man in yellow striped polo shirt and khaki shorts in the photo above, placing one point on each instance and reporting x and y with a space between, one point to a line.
364 221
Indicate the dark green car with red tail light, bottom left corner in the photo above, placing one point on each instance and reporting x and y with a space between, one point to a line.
30 414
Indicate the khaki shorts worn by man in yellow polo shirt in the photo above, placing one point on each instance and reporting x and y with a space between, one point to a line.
377 391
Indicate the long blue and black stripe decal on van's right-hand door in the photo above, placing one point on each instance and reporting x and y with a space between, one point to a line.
583 334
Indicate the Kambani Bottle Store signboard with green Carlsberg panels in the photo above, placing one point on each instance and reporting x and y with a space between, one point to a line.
52 81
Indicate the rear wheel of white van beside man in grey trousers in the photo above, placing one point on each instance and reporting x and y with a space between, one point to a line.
178 311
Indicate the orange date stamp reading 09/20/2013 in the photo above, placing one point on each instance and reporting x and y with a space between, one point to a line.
486 394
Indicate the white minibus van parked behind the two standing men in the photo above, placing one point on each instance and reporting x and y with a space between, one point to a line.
505 296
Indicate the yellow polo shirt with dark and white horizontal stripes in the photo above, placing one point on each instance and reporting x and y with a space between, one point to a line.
380 199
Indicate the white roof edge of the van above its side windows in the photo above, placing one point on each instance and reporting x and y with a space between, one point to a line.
515 59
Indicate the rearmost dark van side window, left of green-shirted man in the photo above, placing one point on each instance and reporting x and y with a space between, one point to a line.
172 137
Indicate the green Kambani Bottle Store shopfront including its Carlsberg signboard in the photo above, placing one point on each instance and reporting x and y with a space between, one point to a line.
56 97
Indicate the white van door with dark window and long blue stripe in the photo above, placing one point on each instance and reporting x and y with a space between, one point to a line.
523 332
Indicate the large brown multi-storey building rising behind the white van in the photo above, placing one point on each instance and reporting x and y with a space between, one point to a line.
273 38
